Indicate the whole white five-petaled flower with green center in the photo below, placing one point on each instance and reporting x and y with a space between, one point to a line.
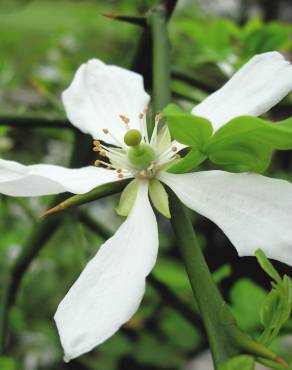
109 103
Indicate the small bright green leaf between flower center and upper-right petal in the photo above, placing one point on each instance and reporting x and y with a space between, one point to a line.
186 128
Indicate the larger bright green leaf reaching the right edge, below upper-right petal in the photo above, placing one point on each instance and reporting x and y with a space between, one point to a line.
249 141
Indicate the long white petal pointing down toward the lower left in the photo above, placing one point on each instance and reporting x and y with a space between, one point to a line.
109 290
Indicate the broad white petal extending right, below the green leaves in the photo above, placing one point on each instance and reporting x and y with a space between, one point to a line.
252 210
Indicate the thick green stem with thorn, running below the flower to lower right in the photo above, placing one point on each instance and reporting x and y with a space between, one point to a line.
225 338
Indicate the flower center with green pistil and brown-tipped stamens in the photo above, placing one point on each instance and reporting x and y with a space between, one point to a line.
137 156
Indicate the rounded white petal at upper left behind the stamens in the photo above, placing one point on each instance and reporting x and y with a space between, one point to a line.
99 93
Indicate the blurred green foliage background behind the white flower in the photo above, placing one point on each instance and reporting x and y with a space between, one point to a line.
41 45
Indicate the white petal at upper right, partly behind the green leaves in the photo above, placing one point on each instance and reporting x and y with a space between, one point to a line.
253 90
